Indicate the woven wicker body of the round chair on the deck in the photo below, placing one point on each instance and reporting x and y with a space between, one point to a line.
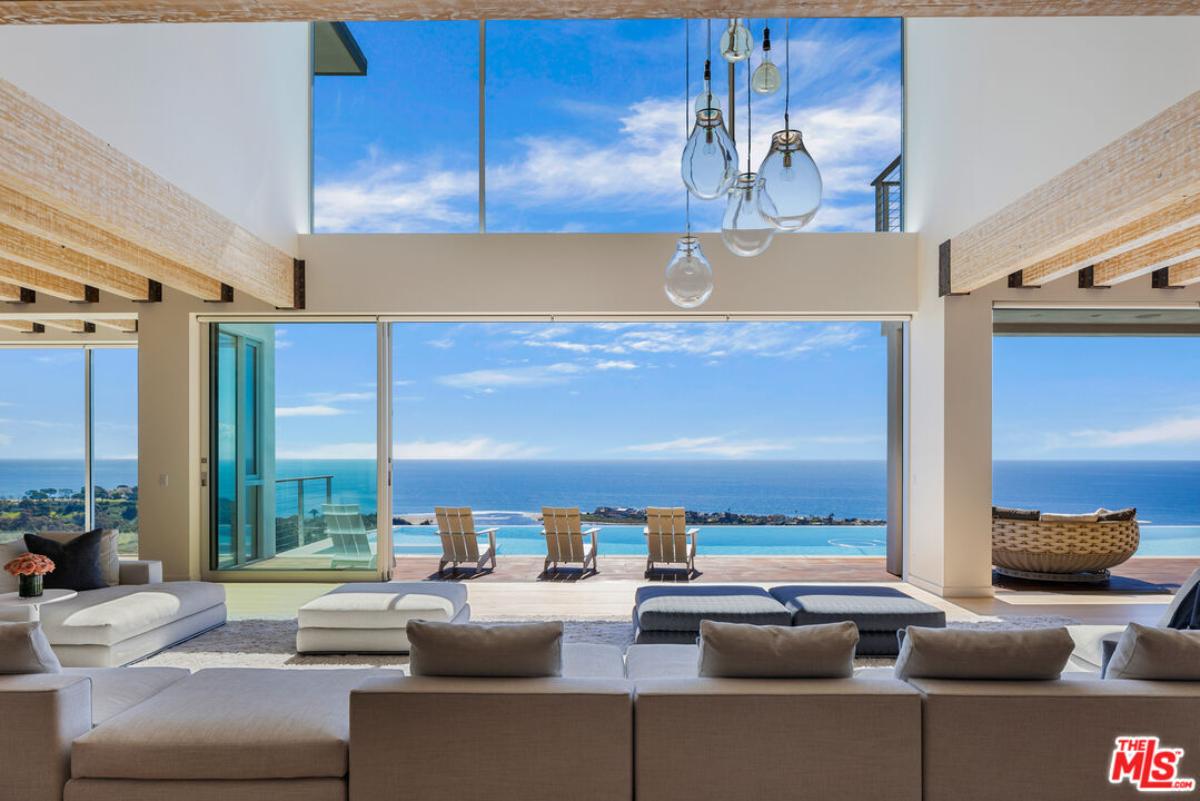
1061 552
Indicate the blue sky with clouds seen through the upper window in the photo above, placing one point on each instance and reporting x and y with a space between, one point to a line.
585 124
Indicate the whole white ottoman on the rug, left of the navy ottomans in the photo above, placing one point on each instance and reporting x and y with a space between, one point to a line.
371 618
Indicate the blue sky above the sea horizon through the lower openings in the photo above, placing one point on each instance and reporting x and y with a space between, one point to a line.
613 392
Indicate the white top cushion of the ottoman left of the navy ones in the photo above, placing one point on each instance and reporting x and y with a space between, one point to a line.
383 605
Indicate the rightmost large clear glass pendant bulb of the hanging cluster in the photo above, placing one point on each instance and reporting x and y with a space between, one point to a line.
789 183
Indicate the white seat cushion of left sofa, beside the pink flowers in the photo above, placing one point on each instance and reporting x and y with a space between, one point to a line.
115 615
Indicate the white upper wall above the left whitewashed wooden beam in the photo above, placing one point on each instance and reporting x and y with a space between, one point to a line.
219 110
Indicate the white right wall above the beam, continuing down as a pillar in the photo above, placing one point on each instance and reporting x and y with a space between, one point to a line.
997 107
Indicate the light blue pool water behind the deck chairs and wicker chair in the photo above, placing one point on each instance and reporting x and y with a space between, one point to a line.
757 540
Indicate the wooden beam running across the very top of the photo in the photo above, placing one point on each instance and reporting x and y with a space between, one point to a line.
208 11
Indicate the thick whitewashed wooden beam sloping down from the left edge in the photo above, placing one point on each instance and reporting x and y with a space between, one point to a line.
50 159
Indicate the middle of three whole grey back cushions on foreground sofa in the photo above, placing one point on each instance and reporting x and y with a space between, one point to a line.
741 652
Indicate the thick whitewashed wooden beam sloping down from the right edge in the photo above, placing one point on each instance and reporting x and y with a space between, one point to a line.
1144 173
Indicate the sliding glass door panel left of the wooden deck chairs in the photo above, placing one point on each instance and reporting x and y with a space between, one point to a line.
295 447
